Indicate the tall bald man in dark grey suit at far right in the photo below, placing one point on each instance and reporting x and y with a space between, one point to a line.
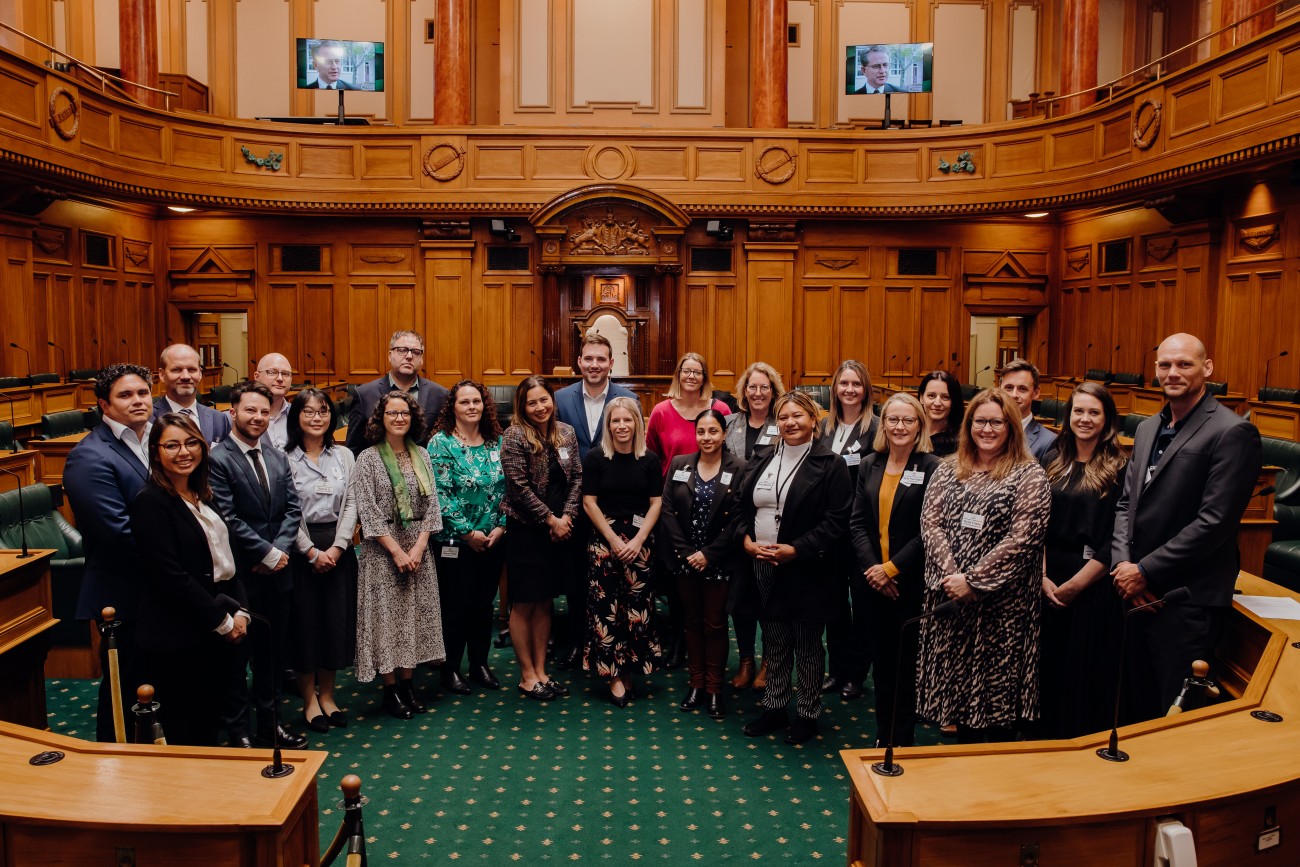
1193 471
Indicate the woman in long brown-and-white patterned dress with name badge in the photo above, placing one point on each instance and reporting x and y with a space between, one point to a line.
983 524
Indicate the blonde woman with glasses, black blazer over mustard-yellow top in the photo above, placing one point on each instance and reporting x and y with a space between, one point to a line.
891 560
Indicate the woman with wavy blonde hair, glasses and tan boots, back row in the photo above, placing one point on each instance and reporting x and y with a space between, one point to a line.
751 436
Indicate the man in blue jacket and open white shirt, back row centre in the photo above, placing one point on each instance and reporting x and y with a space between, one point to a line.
583 406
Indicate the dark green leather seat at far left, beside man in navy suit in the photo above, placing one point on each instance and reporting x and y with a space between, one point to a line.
47 530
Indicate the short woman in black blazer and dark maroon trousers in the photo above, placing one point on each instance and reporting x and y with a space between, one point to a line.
697 539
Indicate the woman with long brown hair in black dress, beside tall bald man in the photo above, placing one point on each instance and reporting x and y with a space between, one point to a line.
1081 613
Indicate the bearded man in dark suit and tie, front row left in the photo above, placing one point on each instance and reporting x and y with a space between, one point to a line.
255 495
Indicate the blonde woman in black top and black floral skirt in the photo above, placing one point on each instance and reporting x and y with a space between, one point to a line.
622 488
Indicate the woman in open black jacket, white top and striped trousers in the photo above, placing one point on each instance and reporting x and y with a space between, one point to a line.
795 519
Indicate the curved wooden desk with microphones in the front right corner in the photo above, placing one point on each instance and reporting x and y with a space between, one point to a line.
1217 769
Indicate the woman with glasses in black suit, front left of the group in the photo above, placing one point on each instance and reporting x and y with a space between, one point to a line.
193 609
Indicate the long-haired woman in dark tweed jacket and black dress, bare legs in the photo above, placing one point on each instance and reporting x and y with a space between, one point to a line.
544 485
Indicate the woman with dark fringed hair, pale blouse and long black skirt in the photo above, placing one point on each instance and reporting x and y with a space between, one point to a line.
323 619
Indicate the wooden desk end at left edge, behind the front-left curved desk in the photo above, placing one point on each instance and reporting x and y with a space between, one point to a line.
27 615
